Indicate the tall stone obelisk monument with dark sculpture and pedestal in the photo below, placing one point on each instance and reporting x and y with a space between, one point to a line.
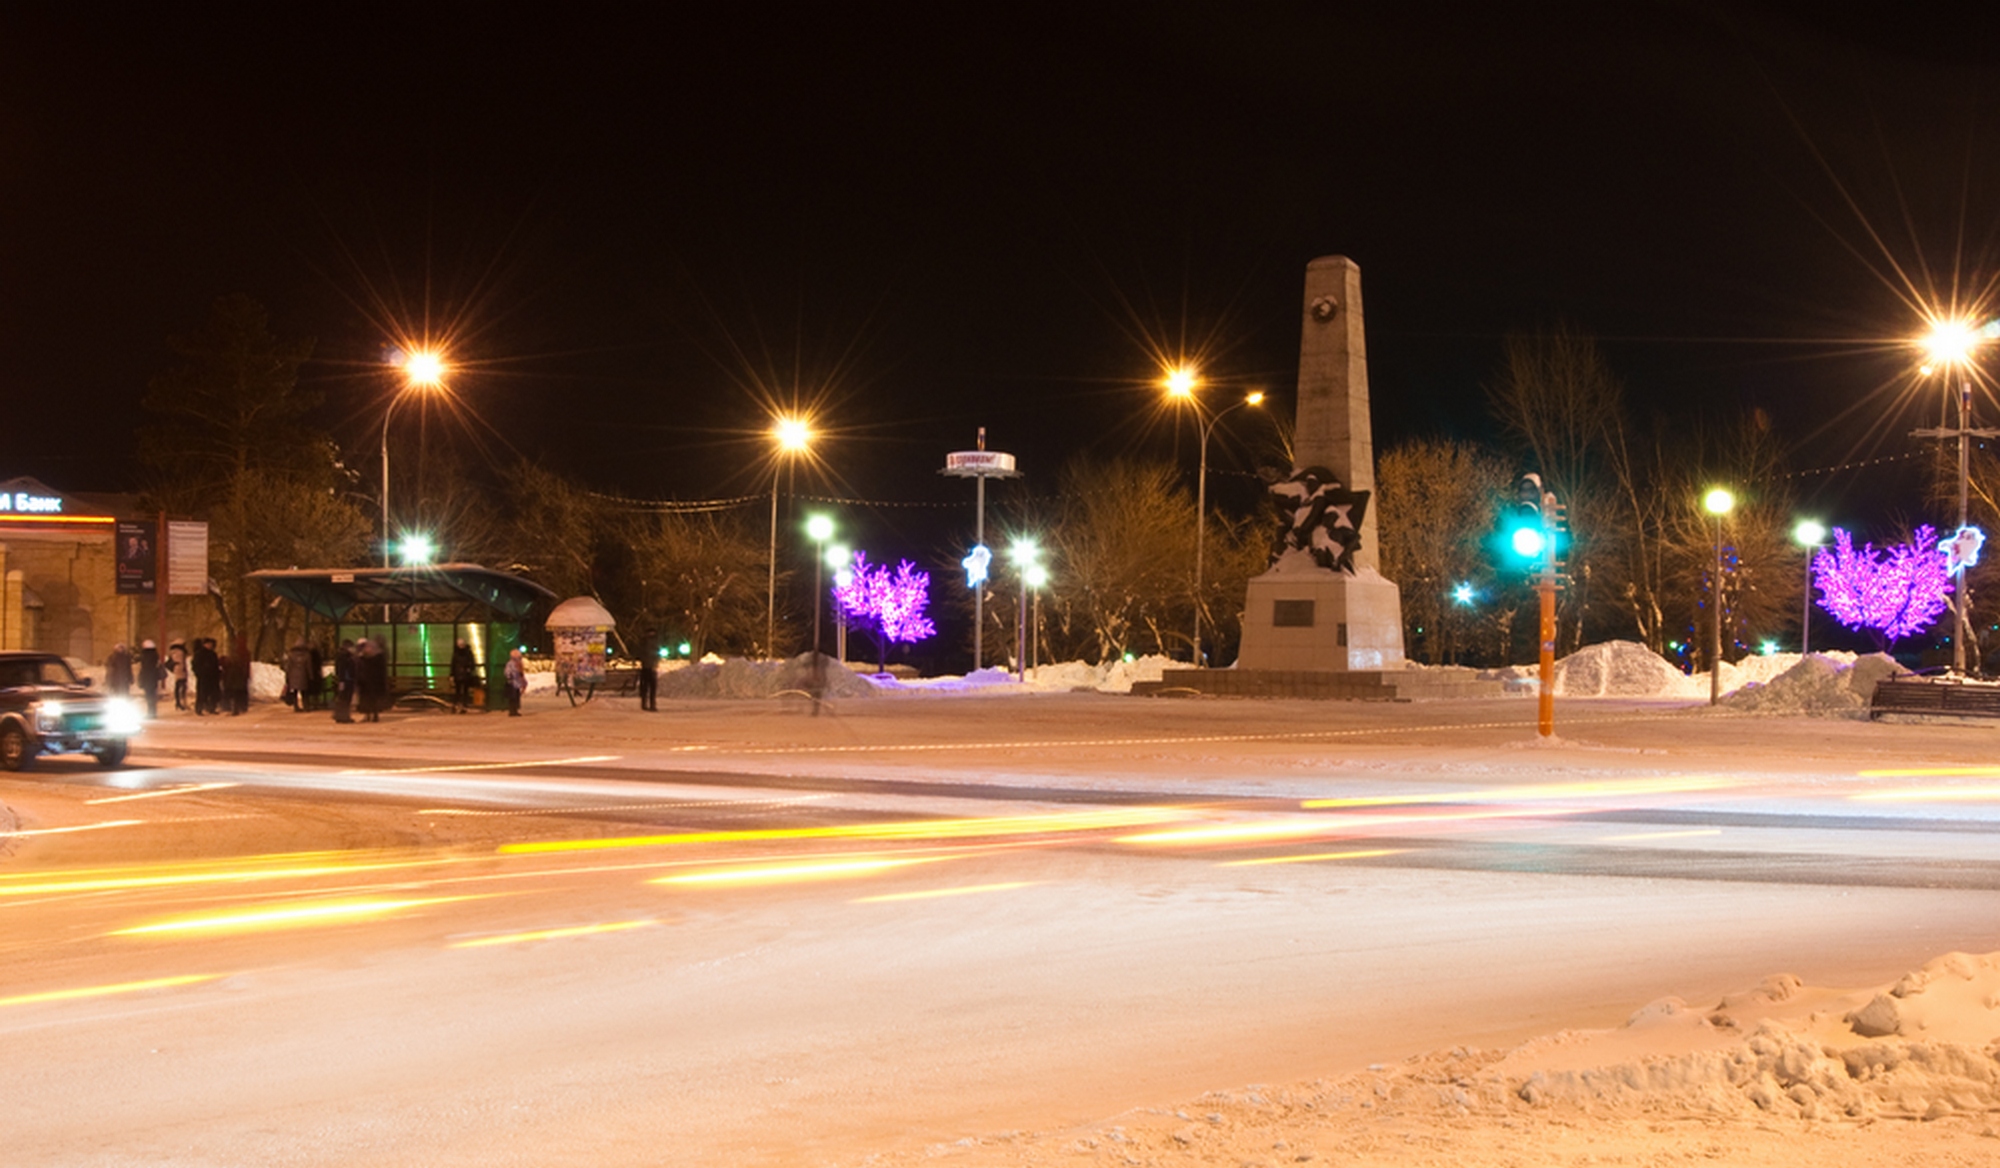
1323 605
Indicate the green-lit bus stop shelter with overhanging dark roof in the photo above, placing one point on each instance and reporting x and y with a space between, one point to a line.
419 615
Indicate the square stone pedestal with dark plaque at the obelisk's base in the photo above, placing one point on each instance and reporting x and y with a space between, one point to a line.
1311 619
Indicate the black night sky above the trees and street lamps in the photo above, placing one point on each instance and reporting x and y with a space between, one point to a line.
921 219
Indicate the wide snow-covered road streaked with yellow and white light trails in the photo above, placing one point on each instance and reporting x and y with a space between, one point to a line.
727 935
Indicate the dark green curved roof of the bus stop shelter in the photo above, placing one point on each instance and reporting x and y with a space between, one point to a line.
471 591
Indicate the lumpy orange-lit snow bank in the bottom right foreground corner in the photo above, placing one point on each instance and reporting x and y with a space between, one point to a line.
1927 1047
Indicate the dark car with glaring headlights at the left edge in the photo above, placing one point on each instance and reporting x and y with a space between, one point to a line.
45 709
